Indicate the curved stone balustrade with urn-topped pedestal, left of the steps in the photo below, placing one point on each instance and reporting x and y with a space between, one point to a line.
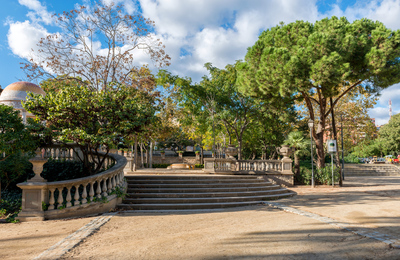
98 193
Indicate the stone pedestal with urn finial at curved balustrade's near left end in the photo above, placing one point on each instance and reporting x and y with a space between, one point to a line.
34 191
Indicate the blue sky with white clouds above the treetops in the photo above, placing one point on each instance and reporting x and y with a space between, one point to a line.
194 31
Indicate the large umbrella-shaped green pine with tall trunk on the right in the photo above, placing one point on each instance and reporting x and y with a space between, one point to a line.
301 59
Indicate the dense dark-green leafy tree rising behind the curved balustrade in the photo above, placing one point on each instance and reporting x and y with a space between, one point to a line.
93 119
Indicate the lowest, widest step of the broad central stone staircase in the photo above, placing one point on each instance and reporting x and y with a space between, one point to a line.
183 206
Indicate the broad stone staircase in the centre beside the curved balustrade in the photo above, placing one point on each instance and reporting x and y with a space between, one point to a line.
188 192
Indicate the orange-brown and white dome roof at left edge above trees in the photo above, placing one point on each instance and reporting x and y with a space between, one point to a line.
18 91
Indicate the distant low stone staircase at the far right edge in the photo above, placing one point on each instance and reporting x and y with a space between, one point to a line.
371 170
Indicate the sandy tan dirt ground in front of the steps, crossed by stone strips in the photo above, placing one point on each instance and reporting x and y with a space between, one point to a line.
257 232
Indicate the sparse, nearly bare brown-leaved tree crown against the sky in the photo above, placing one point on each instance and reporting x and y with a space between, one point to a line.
96 44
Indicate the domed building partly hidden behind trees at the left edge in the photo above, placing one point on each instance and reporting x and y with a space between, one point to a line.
17 92
